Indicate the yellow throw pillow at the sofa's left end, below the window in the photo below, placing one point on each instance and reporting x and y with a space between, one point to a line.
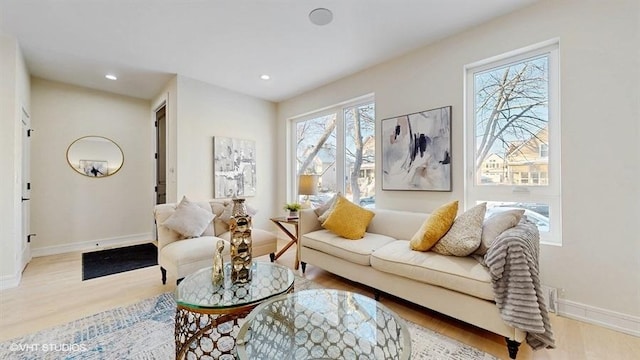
348 219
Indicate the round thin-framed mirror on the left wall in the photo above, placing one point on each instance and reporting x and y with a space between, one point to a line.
95 156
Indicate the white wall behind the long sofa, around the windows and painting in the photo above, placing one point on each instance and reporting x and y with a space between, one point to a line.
598 266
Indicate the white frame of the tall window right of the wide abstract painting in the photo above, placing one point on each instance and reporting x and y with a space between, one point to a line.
550 194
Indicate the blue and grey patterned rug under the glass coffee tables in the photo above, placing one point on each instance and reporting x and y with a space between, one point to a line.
145 331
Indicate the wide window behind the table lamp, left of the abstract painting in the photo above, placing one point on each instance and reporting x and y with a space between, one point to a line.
336 144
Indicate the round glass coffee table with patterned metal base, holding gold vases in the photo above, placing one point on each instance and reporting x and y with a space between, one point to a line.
208 317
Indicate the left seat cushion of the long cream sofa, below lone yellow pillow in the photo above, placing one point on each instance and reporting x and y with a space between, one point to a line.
355 251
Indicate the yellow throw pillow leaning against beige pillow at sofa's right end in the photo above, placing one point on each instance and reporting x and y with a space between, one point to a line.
434 227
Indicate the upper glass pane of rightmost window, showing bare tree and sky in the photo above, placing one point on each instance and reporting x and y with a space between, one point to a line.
511 121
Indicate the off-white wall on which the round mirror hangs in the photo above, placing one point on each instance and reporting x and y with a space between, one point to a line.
74 212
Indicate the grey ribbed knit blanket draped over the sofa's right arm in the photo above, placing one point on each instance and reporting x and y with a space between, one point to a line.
512 260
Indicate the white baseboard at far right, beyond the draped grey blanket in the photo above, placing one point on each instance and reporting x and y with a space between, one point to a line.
625 323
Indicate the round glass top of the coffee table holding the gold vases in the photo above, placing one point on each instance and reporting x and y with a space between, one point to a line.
197 291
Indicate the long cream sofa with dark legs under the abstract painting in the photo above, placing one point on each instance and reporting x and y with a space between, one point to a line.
456 286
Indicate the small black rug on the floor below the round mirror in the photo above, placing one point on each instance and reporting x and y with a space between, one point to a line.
112 261
